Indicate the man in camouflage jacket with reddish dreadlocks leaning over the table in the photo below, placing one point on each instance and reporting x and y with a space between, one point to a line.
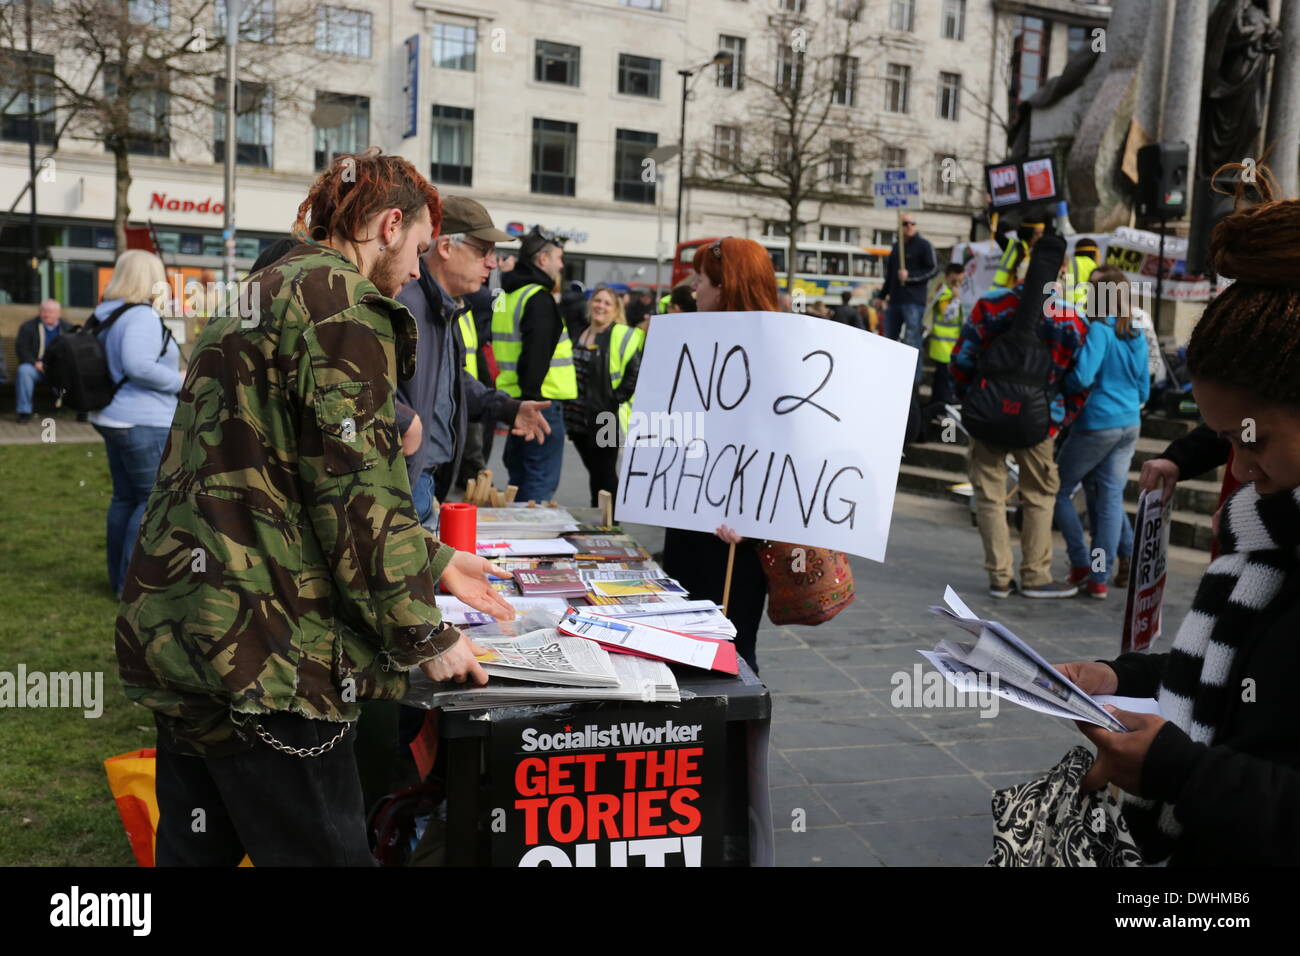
281 576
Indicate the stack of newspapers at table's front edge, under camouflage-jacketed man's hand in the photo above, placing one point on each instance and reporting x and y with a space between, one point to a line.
547 667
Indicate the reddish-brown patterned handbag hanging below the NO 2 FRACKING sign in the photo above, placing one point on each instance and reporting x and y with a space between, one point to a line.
805 586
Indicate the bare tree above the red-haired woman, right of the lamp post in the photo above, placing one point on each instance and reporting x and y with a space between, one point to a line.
800 133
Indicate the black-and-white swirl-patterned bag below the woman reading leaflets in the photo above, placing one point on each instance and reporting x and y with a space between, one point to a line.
1051 823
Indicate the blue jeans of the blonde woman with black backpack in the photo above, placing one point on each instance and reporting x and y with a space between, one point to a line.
133 461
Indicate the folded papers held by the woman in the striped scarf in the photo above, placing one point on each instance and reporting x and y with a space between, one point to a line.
1019 673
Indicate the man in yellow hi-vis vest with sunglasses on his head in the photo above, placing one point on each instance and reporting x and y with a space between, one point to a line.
535 356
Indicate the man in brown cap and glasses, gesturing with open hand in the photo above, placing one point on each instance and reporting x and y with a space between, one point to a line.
443 392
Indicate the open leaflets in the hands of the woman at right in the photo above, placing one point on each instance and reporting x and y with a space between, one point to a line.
998 651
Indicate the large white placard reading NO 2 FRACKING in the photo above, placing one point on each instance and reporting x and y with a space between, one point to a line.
783 427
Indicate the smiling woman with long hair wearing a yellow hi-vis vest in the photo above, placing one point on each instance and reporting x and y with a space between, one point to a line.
606 361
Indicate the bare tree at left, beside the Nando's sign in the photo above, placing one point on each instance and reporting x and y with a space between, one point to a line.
140 76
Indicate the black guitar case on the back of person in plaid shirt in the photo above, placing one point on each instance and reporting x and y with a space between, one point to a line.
1009 401
